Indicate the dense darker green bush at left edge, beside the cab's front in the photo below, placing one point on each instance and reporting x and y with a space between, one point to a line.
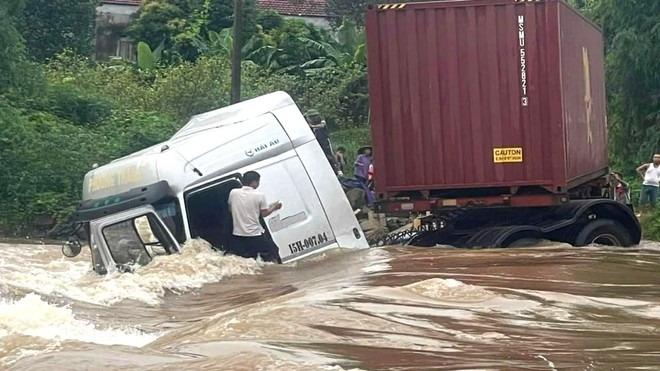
44 159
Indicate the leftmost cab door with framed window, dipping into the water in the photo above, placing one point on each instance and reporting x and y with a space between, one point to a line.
133 237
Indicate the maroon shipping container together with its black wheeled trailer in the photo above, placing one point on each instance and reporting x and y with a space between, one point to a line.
488 119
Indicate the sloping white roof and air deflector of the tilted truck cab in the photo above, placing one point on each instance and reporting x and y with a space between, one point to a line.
180 160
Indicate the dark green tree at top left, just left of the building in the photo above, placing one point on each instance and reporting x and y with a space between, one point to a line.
51 26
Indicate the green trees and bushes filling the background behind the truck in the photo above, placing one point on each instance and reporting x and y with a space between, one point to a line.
61 111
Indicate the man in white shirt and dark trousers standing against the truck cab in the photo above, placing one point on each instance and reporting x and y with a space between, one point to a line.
247 205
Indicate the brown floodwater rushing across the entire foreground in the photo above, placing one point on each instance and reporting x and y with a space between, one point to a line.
543 308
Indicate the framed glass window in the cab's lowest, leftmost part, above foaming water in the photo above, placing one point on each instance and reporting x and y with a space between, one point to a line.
134 241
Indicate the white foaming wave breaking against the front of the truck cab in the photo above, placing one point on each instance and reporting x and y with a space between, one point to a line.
195 266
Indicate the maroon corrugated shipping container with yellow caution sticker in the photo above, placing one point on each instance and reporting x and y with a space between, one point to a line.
484 94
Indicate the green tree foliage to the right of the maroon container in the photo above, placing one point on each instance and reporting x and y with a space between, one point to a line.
632 46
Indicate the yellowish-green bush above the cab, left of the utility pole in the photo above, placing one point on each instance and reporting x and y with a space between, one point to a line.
179 91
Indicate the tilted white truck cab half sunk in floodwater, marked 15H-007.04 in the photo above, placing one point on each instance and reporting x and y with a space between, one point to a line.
152 201
